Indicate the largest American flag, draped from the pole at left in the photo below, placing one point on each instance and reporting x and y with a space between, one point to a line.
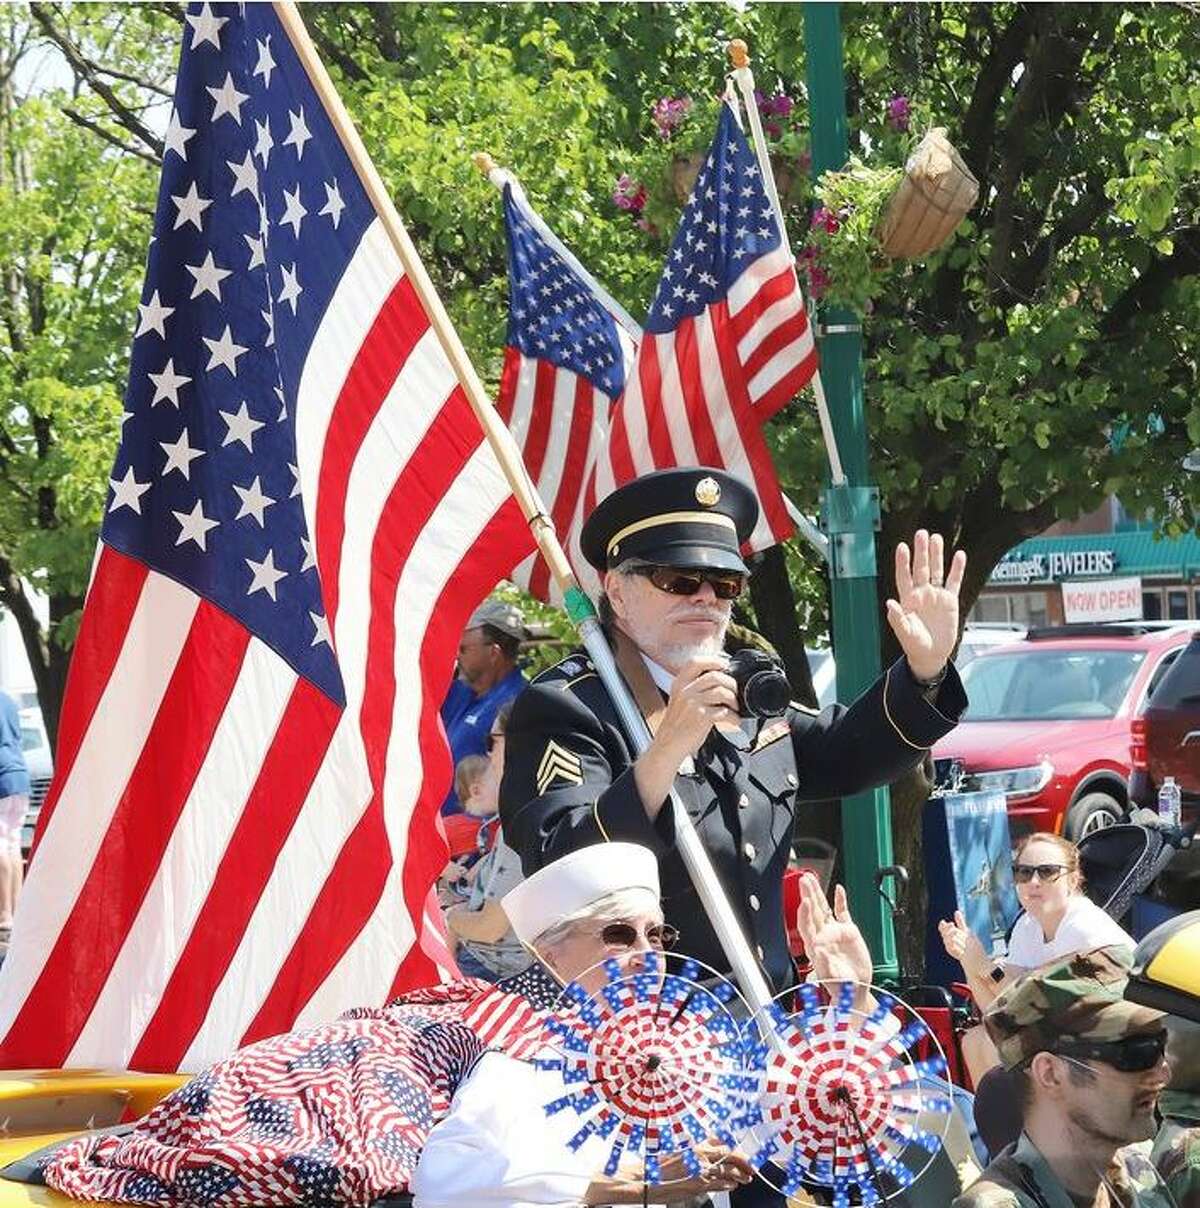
304 512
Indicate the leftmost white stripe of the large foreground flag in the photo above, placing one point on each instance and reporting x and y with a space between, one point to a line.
98 777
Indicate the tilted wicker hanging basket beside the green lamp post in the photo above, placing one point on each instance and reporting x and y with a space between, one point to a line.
936 194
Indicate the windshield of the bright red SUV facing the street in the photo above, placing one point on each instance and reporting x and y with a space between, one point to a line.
1044 686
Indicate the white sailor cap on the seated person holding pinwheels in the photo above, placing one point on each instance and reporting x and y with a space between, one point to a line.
576 881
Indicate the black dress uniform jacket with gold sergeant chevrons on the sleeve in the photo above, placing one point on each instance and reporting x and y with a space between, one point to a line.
569 783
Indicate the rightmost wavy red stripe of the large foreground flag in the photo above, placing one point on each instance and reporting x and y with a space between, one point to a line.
474 577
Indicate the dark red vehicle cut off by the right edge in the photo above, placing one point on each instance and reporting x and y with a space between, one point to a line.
1167 736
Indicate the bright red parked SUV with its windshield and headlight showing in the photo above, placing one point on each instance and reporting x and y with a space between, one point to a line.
1050 722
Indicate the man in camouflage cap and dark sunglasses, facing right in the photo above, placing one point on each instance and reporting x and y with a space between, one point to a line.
1088 1067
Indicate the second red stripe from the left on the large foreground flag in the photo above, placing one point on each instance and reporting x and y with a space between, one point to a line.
135 843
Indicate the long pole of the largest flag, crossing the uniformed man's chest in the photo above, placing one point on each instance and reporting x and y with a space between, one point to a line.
579 608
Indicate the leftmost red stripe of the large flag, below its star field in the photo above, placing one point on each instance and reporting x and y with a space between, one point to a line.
112 601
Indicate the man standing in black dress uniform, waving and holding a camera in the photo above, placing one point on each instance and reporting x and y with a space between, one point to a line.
668 547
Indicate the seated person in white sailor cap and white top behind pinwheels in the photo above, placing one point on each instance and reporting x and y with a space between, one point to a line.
497 1147
